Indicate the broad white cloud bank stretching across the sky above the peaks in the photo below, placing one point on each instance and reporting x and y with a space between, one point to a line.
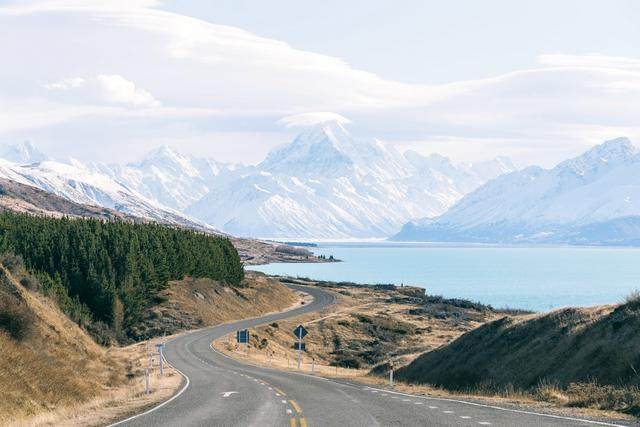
112 63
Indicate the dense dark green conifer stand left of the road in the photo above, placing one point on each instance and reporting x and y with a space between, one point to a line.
108 271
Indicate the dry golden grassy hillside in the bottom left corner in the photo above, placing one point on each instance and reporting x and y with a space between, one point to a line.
47 360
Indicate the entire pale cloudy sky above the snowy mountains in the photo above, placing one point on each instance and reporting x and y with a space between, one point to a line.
110 80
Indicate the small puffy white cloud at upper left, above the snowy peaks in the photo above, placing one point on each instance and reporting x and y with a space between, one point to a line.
104 88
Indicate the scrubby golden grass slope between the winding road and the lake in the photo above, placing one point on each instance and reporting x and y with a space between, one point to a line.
336 331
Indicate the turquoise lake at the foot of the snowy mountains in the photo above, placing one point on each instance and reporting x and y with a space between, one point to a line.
535 278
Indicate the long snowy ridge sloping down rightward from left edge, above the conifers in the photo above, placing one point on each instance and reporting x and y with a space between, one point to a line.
76 182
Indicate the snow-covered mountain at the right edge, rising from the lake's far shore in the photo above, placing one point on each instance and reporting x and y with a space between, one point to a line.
591 199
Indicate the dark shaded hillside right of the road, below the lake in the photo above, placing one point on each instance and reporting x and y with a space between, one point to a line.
593 353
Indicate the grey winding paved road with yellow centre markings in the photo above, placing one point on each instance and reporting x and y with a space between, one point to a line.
224 392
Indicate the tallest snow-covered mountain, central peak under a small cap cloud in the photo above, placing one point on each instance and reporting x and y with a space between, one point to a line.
327 184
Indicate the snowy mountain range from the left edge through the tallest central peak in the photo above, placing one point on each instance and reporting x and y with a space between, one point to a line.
323 184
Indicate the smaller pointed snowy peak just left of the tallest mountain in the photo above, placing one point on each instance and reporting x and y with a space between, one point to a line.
168 177
